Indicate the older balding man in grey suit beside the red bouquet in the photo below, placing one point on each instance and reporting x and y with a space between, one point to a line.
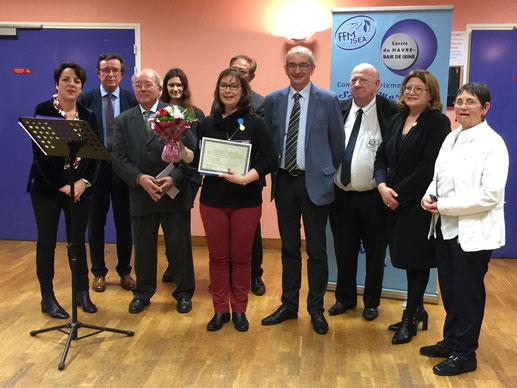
137 160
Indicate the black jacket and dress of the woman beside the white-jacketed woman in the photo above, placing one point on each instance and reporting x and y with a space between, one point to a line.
410 164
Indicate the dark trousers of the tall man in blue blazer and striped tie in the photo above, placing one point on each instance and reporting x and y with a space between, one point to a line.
293 203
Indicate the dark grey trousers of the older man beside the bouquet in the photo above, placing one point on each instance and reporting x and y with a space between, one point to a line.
176 233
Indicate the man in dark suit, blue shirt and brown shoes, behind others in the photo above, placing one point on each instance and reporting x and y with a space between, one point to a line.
107 101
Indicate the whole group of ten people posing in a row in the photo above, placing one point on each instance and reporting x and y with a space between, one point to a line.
384 173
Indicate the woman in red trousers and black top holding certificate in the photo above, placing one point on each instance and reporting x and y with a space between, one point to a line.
231 203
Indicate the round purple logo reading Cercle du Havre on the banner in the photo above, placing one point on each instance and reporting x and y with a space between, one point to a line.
407 45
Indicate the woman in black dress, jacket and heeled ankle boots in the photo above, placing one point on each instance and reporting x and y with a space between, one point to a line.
403 169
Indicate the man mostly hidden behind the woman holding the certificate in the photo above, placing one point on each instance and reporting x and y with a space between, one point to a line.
247 67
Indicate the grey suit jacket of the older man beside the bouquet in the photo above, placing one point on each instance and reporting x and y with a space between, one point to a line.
138 151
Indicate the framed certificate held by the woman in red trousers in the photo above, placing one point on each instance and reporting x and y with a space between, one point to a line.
217 156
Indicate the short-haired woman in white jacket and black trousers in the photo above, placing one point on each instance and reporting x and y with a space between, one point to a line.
466 198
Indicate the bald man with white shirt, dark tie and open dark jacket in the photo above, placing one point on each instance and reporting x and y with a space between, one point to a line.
358 213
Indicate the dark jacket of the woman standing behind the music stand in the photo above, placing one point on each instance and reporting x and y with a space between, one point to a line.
47 173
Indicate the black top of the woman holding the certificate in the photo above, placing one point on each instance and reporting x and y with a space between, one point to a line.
218 192
